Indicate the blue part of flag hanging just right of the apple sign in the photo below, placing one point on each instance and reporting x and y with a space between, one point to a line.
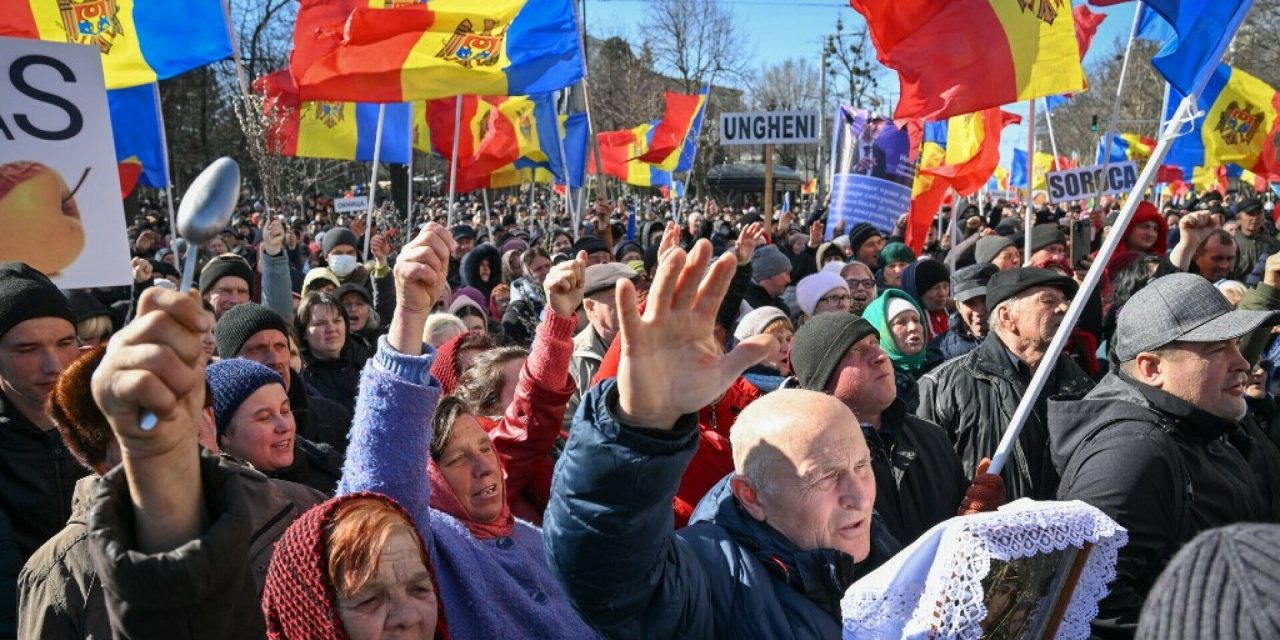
136 129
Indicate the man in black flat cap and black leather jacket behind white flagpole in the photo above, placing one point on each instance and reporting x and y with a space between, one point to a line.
975 397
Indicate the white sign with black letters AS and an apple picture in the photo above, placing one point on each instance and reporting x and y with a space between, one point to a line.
61 208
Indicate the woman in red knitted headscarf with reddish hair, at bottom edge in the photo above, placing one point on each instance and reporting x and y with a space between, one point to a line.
353 568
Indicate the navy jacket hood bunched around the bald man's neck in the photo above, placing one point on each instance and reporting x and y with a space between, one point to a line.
821 575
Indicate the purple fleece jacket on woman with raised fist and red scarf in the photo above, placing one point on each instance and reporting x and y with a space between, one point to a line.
492 589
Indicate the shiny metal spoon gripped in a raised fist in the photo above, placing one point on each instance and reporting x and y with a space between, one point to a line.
205 211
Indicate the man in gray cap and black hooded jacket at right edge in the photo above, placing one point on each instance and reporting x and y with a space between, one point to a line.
1154 445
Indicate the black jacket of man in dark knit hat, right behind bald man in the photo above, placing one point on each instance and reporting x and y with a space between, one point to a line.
920 481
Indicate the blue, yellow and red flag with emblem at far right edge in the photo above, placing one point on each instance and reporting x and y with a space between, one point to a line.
1240 125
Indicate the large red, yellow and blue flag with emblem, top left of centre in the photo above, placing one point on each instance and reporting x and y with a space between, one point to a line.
438 49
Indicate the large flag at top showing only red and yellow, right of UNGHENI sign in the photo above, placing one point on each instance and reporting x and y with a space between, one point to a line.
959 57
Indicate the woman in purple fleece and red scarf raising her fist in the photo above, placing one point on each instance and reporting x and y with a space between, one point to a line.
491 568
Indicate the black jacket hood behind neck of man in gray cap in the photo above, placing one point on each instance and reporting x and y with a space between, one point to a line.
1118 399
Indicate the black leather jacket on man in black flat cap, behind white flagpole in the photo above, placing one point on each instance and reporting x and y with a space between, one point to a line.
975 397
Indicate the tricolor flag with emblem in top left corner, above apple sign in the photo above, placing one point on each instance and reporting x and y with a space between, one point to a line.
141 42
